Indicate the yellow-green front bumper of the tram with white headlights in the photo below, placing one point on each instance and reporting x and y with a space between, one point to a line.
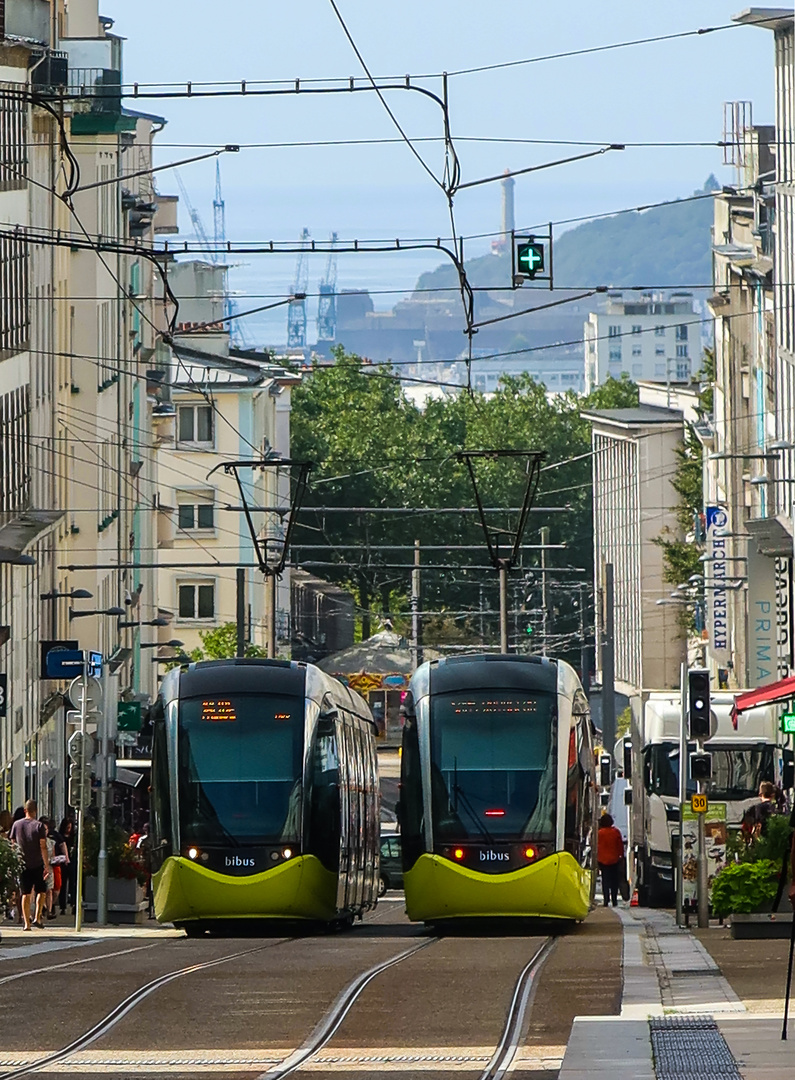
299 889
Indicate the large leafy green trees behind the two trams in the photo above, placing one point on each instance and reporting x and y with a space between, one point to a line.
375 449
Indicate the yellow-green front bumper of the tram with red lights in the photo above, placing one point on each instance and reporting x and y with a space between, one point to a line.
556 887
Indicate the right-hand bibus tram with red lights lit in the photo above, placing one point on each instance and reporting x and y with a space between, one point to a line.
498 801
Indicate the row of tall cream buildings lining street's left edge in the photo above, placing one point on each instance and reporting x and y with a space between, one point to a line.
78 333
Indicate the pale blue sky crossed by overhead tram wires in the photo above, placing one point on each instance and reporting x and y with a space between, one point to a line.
664 92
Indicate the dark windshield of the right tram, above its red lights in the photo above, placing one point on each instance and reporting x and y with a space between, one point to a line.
493 765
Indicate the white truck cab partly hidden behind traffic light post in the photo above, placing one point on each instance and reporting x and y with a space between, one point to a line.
746 750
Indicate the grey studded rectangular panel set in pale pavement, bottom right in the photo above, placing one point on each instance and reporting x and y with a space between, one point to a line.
686 1048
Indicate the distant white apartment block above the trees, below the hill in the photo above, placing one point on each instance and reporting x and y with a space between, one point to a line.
652 336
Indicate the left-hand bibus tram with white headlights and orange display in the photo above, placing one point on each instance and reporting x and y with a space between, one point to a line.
265 798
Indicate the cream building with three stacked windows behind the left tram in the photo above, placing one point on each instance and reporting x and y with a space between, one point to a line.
221 404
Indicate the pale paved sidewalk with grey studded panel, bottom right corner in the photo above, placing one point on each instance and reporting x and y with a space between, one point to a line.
681 1018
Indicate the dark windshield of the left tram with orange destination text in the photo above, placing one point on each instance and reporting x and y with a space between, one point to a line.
240 767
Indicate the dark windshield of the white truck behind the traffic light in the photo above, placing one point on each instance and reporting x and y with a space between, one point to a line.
737 773
